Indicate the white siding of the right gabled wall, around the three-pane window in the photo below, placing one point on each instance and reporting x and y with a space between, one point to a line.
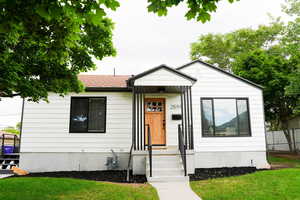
212 83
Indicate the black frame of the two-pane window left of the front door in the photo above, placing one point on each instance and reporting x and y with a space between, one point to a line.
105 113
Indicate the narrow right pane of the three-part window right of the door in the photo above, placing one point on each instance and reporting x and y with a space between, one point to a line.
244 126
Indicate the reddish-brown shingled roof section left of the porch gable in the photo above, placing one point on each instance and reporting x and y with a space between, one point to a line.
104 81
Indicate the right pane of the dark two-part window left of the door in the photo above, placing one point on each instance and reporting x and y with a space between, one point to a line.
96 115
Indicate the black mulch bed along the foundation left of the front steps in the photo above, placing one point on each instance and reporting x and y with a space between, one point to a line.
109 175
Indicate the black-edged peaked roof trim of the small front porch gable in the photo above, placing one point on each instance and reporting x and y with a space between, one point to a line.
133 78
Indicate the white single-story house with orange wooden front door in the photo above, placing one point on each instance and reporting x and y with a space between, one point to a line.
220 115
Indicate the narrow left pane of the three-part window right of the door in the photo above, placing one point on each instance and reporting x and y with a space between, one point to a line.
207 117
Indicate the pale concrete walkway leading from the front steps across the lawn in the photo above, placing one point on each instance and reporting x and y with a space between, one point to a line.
175 191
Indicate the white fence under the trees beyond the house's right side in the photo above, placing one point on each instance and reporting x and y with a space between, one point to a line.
276 140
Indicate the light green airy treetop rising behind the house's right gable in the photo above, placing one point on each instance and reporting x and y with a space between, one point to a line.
222 49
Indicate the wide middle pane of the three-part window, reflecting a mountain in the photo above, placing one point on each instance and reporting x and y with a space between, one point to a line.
225 117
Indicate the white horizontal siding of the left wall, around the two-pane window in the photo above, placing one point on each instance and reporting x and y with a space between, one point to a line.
46 126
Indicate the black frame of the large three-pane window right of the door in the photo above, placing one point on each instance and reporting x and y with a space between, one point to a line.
213 112
